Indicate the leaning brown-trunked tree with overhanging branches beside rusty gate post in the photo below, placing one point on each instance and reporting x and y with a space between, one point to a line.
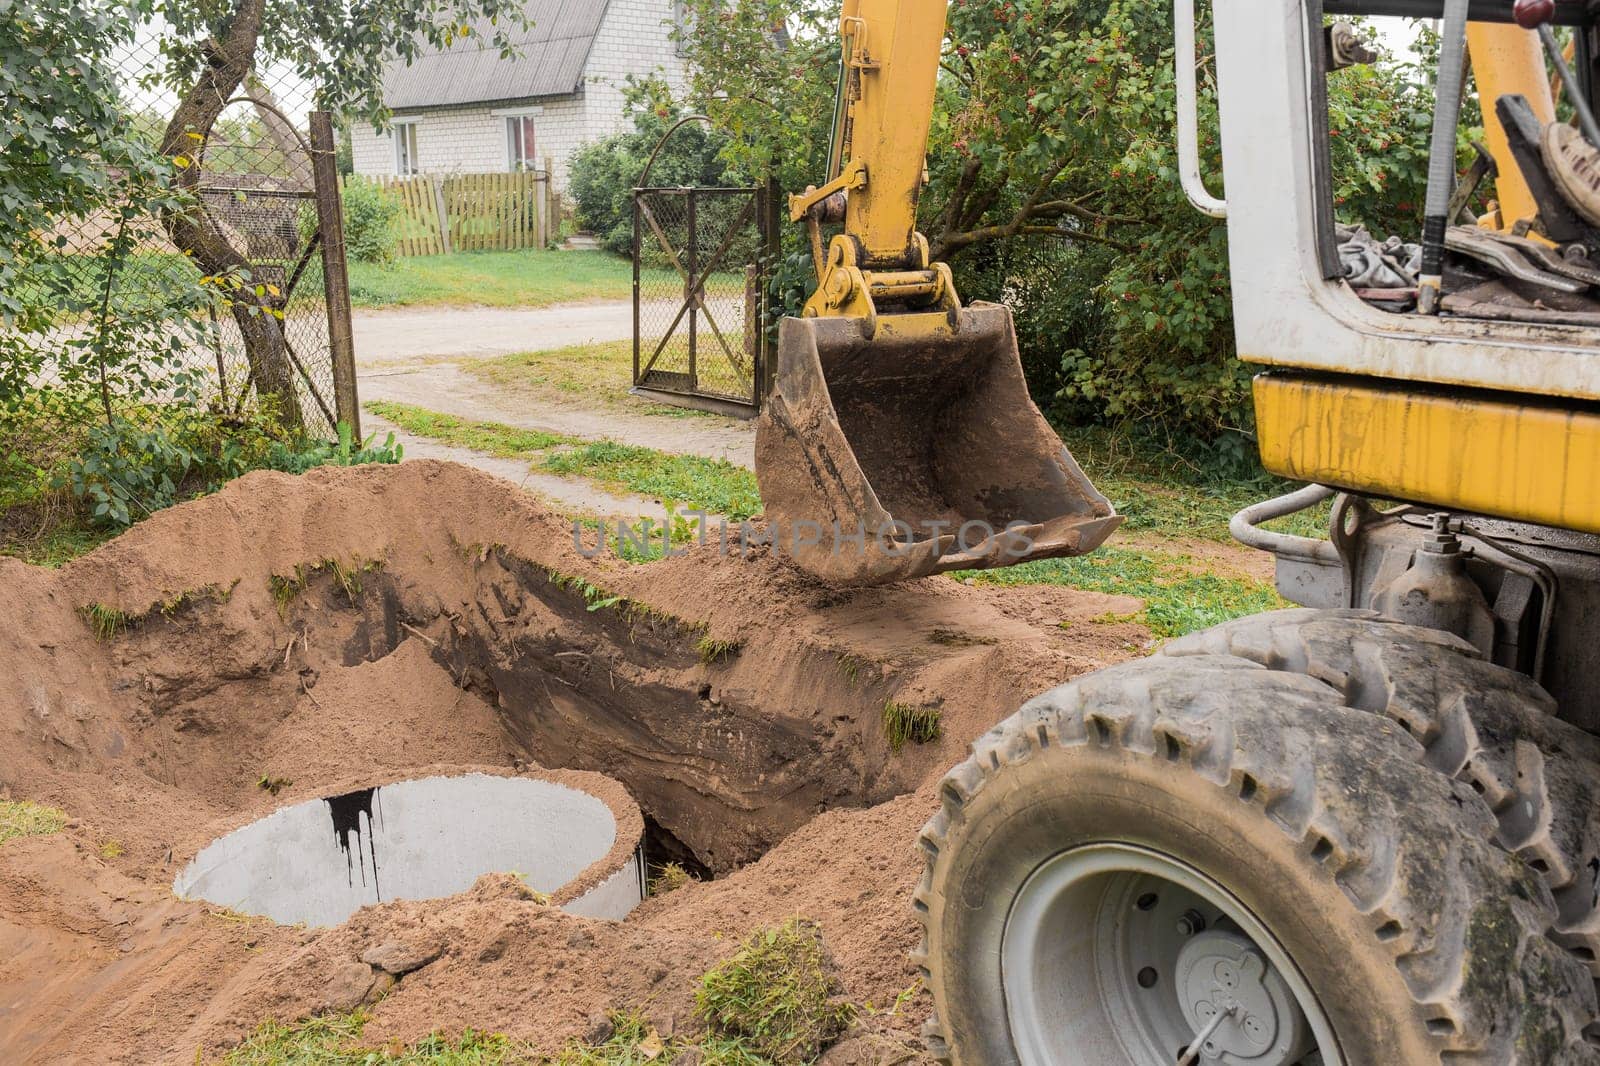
214 49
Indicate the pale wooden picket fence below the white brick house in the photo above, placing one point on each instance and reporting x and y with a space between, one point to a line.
446 214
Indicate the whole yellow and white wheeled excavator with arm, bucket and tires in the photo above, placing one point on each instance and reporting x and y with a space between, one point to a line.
1358 833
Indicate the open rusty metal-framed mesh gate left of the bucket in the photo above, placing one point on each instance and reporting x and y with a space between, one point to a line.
702 262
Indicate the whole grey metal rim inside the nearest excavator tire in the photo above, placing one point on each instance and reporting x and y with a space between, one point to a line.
1114 953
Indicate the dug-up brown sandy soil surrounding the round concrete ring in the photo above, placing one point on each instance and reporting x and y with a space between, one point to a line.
292 636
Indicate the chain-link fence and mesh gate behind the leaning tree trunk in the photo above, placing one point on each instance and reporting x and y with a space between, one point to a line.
130 319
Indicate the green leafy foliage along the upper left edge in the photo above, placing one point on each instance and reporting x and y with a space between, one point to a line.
68 153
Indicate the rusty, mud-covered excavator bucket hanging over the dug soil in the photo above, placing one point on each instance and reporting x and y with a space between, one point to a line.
916 452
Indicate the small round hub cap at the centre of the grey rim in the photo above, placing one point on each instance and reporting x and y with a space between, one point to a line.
1242 1011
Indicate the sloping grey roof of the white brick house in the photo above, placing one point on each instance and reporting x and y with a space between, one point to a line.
551 62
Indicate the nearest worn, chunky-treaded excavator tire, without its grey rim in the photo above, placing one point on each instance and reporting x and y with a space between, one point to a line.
1422 939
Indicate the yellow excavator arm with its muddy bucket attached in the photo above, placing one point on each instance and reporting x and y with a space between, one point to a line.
900 438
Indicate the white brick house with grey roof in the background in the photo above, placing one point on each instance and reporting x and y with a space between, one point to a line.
470 111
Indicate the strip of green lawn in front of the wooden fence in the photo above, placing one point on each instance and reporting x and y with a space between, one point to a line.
495 279
